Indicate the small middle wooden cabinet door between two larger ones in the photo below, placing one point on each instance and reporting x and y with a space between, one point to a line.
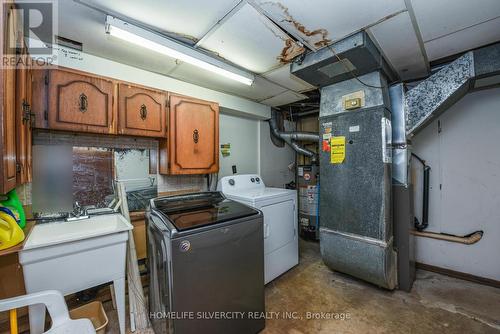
141 111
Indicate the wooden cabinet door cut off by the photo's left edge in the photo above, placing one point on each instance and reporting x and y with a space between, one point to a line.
8 104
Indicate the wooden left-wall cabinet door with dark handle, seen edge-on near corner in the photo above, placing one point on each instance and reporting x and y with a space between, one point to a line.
23 119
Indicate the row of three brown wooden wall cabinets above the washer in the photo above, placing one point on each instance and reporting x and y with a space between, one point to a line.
188 128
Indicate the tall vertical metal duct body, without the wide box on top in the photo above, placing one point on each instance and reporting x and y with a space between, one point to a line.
356 234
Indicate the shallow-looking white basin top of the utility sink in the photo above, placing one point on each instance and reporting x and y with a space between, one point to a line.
60 232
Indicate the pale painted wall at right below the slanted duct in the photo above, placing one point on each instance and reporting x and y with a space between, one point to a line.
465 161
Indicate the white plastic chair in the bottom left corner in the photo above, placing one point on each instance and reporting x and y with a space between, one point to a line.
54 301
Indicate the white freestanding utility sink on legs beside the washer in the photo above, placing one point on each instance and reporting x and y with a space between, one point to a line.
73 256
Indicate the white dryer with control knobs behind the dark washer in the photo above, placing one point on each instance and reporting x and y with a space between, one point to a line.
279 206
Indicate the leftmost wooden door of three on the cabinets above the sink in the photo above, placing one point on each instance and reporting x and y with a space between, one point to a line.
80 103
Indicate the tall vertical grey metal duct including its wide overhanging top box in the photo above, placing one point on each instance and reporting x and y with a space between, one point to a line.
356 230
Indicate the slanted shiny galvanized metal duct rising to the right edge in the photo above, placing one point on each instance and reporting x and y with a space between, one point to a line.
479 68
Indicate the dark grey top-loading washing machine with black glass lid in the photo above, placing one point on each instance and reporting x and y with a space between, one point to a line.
205 256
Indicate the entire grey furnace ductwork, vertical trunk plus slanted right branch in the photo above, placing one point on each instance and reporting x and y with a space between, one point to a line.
357 231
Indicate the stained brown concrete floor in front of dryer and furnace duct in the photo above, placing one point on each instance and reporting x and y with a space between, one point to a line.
436 303
